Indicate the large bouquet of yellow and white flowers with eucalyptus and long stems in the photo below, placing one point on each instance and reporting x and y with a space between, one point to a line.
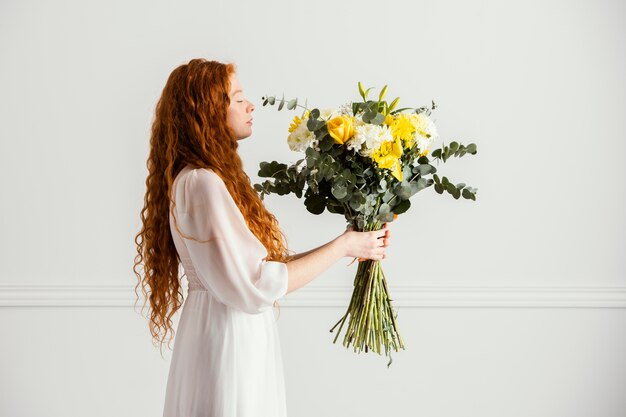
363 160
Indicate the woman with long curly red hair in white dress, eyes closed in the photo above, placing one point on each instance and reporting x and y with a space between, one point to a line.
202 211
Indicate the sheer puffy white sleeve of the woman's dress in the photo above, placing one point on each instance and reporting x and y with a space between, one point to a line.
231 263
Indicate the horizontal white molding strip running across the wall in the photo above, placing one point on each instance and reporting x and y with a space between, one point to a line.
12 295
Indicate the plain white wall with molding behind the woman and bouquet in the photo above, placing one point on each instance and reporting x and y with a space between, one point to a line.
511 305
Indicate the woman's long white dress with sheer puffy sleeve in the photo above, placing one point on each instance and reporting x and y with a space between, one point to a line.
226 360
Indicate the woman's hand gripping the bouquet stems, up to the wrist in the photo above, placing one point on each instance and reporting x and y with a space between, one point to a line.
365 245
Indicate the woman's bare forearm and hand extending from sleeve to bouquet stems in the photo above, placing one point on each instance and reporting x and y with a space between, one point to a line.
308 265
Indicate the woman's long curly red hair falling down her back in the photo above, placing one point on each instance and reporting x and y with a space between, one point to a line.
190 128
